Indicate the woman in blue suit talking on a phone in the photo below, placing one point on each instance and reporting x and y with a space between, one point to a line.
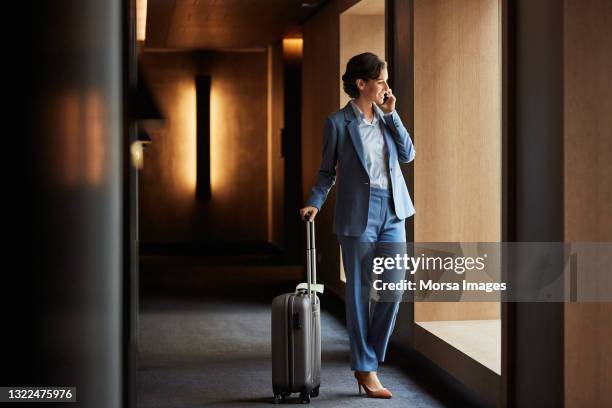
363 144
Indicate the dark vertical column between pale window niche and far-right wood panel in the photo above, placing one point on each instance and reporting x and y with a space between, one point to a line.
537 328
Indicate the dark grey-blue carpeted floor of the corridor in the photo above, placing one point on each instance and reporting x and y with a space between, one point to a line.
214 351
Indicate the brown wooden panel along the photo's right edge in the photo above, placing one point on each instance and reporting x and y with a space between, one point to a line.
588 190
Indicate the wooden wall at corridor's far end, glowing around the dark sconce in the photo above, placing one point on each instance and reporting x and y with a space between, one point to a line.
237 210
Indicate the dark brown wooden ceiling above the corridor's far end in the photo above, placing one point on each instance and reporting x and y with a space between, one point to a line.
223 24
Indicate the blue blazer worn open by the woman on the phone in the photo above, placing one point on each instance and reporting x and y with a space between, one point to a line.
343 157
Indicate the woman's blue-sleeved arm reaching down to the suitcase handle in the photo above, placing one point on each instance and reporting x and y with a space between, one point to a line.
326 177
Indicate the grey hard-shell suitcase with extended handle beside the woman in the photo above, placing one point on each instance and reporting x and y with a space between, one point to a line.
296 335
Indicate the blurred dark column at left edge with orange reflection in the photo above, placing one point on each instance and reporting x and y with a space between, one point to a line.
61 296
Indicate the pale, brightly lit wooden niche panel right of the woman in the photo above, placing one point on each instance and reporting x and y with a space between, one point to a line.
457 122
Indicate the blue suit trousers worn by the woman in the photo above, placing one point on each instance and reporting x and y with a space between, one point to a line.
370 323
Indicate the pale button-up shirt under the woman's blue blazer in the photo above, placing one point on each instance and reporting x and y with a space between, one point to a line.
374 147
